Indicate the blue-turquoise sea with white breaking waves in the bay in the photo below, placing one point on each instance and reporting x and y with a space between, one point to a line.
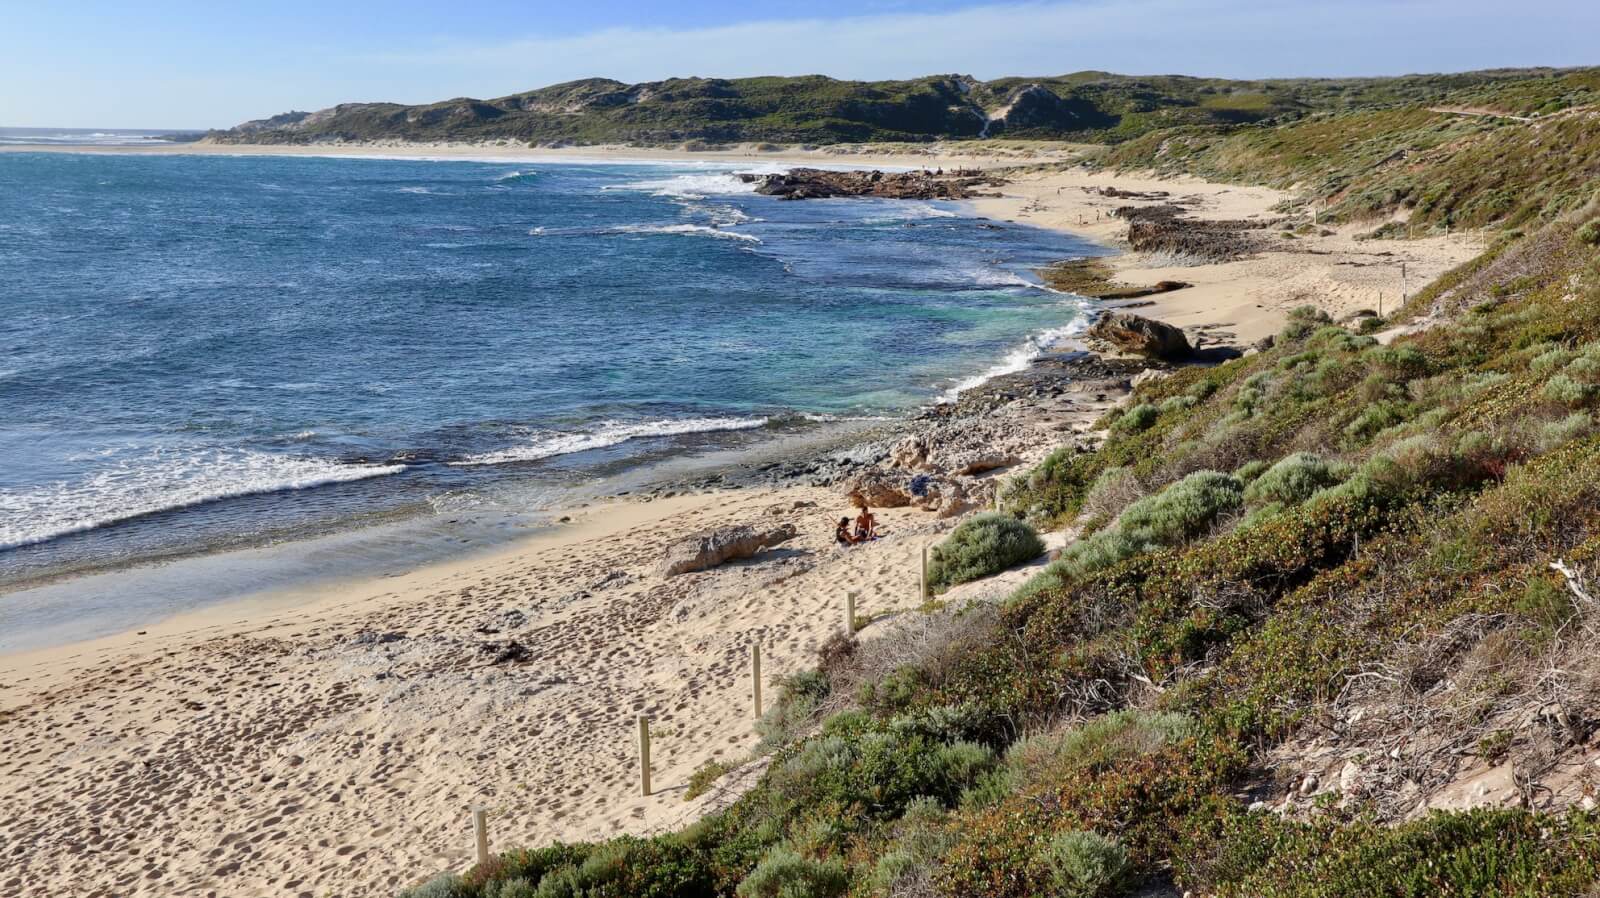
218 350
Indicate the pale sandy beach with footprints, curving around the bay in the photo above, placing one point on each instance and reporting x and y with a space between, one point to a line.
334 742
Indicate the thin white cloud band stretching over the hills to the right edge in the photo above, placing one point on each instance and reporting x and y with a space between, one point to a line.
1201 38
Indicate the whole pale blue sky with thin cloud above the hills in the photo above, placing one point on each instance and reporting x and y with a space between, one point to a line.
217 63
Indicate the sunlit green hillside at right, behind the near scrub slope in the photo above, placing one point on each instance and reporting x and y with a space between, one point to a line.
1506 153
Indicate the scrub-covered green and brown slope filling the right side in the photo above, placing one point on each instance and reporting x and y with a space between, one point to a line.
1337 542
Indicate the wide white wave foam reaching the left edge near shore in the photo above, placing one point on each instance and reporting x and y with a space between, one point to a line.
162 481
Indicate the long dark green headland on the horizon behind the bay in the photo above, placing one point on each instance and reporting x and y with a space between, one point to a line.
1087 106
